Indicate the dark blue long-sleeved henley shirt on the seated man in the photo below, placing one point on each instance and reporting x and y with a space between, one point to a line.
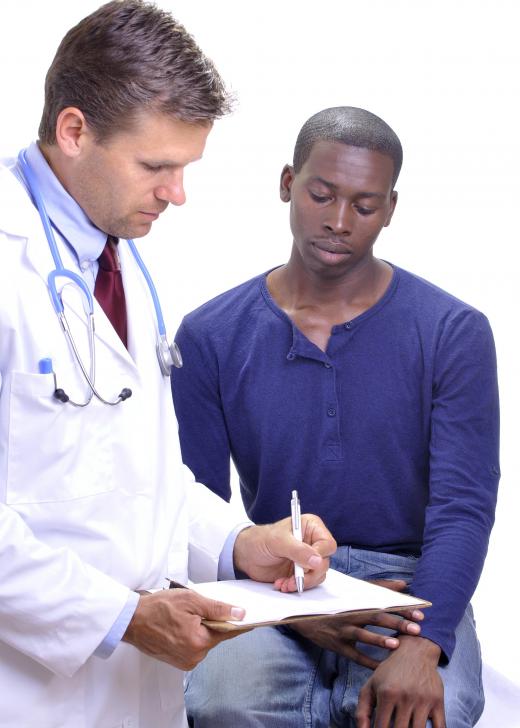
391 435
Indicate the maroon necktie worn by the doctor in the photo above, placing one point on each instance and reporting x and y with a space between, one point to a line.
109 290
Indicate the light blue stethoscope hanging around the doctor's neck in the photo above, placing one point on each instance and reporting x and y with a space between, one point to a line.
168 355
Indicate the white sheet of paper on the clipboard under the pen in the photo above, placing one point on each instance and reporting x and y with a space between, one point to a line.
338 593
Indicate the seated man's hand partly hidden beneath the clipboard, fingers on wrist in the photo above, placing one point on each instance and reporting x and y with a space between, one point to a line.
341 634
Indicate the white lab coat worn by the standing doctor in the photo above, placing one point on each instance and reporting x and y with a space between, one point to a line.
93 502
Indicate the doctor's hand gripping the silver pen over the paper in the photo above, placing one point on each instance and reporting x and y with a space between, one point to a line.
267 553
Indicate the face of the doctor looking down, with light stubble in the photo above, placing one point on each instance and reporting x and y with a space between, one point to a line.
124 183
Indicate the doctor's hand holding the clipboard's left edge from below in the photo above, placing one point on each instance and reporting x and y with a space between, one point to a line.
168 625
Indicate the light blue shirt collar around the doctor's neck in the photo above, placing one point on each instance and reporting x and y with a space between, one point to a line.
83 237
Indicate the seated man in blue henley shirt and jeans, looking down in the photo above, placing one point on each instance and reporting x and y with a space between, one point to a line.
374 393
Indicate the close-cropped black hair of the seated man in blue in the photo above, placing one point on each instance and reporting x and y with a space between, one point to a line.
352 126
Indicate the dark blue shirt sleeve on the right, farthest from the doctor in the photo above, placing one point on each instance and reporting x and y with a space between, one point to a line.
464 474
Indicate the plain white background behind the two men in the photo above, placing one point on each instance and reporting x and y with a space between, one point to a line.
445 75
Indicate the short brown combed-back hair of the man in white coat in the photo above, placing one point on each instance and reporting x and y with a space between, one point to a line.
127 57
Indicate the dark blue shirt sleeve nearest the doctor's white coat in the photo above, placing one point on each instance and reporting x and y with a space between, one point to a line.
202 426
